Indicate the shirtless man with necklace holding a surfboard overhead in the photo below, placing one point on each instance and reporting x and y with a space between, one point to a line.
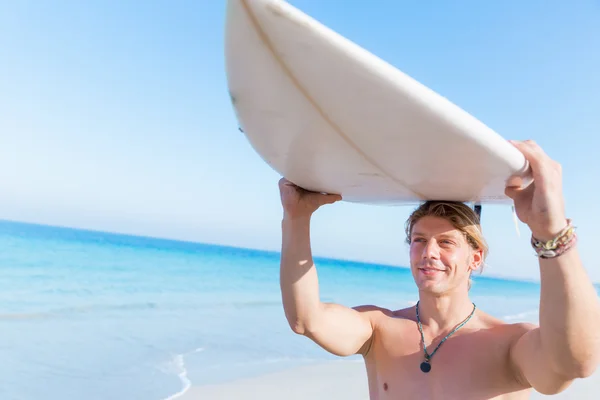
485 358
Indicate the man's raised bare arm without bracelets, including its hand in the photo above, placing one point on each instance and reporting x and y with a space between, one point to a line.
338 329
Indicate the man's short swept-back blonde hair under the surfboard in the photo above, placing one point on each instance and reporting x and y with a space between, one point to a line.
461 216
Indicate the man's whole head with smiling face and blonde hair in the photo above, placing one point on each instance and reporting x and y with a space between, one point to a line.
446 246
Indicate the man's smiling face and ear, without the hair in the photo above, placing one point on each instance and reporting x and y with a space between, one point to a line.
440 256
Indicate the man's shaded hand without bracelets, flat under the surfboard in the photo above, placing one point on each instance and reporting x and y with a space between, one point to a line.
300 203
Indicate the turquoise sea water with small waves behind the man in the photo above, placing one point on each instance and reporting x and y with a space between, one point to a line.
103 316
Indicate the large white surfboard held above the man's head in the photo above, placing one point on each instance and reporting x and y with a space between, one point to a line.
332 117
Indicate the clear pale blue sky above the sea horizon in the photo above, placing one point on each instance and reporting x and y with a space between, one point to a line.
115 116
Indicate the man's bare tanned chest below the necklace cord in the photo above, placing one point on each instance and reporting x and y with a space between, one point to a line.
471 364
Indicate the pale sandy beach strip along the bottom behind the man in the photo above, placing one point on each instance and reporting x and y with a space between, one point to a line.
336 380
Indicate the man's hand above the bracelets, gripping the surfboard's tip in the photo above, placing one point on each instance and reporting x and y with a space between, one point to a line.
541 204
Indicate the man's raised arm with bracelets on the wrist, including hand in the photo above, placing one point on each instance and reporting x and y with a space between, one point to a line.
566 345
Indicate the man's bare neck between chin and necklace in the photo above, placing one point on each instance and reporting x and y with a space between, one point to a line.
441 313
